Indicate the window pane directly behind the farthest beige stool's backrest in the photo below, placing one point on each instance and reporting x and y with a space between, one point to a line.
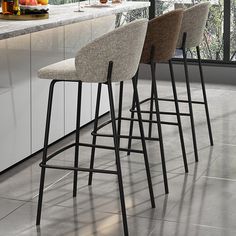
212 45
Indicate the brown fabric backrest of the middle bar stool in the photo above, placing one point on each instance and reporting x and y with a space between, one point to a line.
162 34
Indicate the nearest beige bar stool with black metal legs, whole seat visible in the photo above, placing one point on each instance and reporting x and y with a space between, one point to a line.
113 57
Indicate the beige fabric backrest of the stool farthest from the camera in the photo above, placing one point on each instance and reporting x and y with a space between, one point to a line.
193 23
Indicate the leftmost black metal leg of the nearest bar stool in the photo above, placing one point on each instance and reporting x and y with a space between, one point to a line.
45 148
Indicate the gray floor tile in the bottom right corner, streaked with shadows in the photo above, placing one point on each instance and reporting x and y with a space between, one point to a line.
210 202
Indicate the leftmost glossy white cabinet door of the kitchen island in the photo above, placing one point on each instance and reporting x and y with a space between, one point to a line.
14 100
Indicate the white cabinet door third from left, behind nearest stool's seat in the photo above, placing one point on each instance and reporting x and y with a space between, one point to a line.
76 36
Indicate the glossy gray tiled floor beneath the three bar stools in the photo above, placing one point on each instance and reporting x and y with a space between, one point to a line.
201 203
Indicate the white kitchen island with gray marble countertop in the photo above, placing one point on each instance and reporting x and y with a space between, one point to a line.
25 47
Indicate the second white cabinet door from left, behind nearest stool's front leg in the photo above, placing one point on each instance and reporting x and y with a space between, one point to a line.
47 47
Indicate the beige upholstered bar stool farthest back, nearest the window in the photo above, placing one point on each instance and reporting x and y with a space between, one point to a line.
191 34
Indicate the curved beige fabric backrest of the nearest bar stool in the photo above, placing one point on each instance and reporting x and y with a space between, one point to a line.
123 46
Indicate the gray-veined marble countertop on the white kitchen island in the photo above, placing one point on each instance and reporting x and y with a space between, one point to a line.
60 15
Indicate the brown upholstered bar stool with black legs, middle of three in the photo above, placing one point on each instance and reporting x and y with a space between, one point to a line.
159 46
